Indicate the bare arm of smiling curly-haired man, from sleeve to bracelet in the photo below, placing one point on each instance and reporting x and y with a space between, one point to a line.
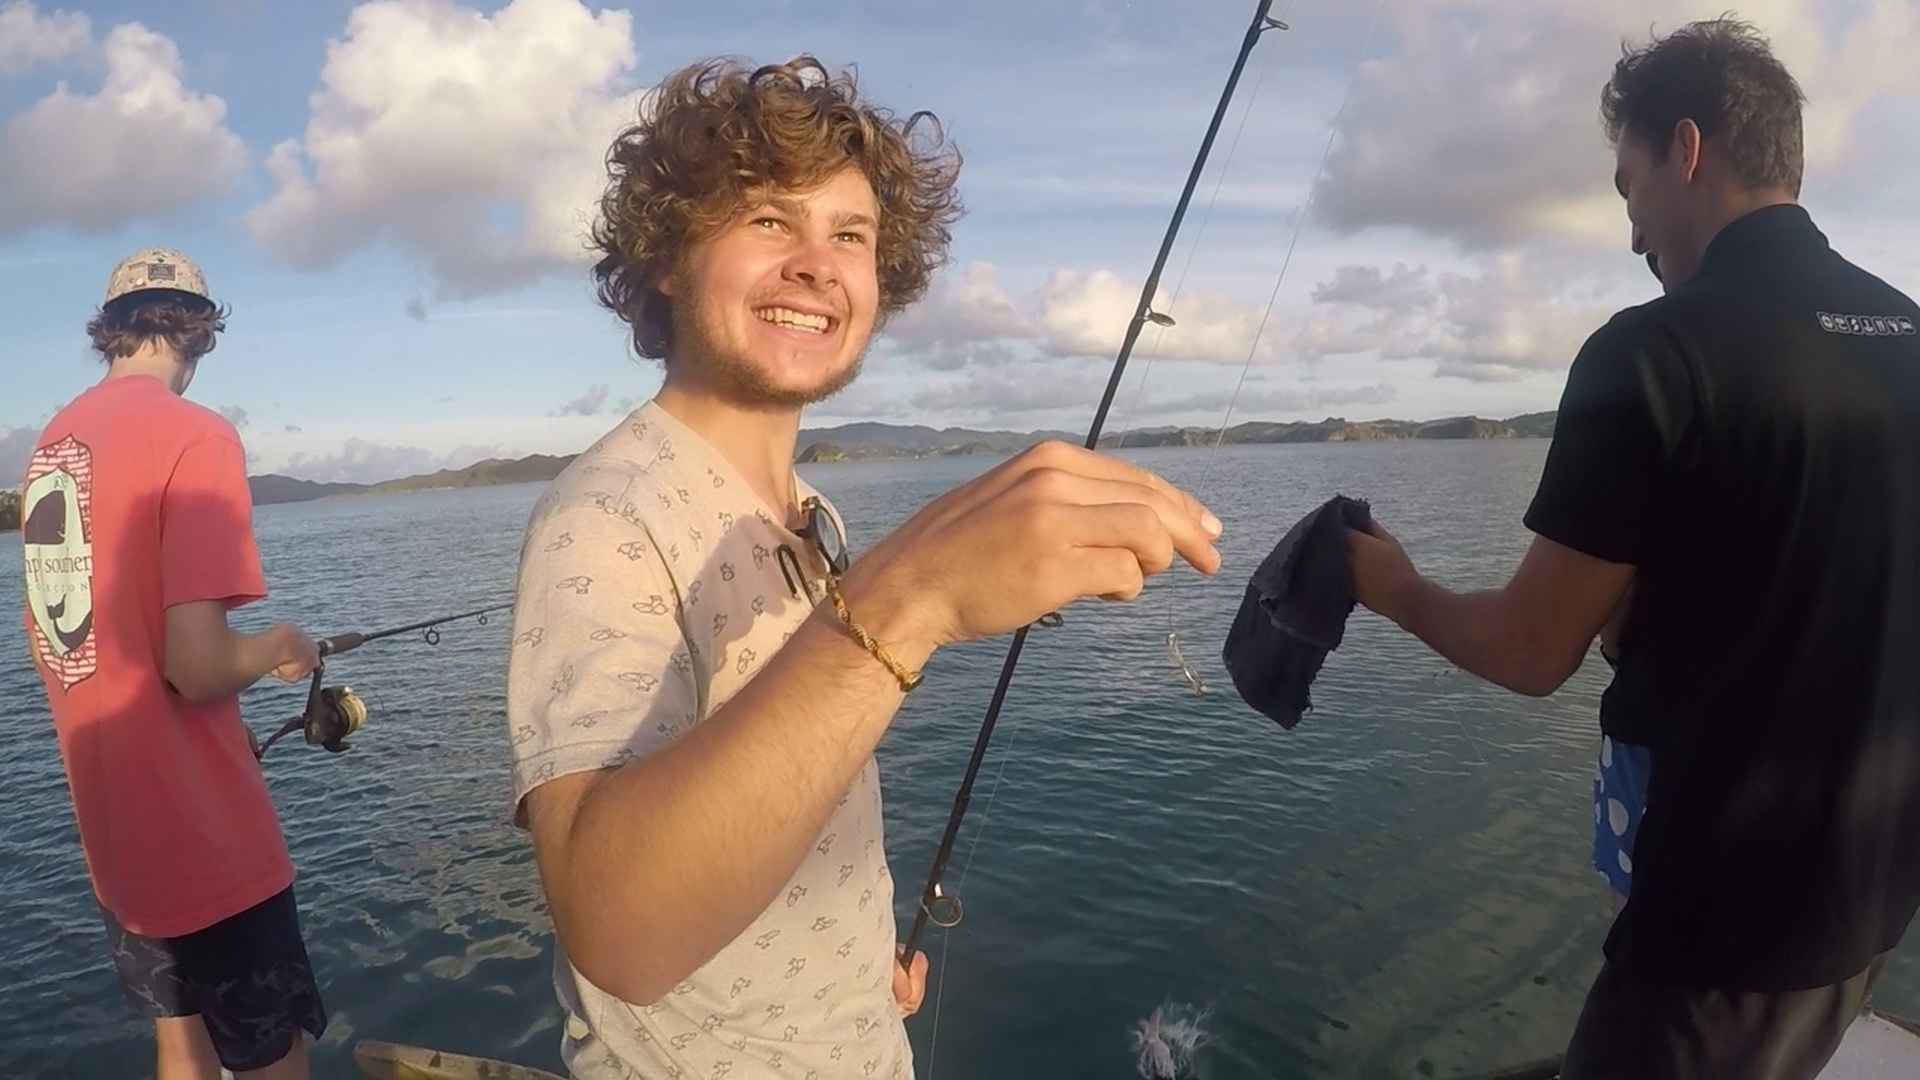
669 858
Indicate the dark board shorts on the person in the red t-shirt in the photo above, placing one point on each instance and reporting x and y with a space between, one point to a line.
247 977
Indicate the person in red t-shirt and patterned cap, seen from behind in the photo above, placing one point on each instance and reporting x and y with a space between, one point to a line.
137 528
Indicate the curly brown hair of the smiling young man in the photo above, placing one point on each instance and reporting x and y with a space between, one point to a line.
721 137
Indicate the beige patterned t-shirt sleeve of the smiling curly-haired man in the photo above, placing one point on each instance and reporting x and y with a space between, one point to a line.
600 670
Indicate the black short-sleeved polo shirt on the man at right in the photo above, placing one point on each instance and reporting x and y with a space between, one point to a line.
1752 447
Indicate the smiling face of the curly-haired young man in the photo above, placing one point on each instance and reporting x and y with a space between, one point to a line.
777 308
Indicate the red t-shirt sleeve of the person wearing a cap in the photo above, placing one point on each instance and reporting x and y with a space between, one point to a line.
206 528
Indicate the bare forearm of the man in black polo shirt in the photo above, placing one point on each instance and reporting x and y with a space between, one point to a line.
1479 633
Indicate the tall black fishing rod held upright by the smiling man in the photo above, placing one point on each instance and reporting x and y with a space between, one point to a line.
938 908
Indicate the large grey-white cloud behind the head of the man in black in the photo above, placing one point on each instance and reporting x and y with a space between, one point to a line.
1483 126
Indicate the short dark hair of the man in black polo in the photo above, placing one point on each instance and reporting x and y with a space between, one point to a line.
1723 76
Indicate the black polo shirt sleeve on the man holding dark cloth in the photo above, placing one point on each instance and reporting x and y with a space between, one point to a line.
1621 416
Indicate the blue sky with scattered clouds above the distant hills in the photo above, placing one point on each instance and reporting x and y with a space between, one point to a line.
391 197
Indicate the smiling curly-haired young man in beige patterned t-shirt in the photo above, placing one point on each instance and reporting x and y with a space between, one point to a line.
698 675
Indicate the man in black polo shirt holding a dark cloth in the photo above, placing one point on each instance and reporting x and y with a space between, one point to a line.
1746 453
